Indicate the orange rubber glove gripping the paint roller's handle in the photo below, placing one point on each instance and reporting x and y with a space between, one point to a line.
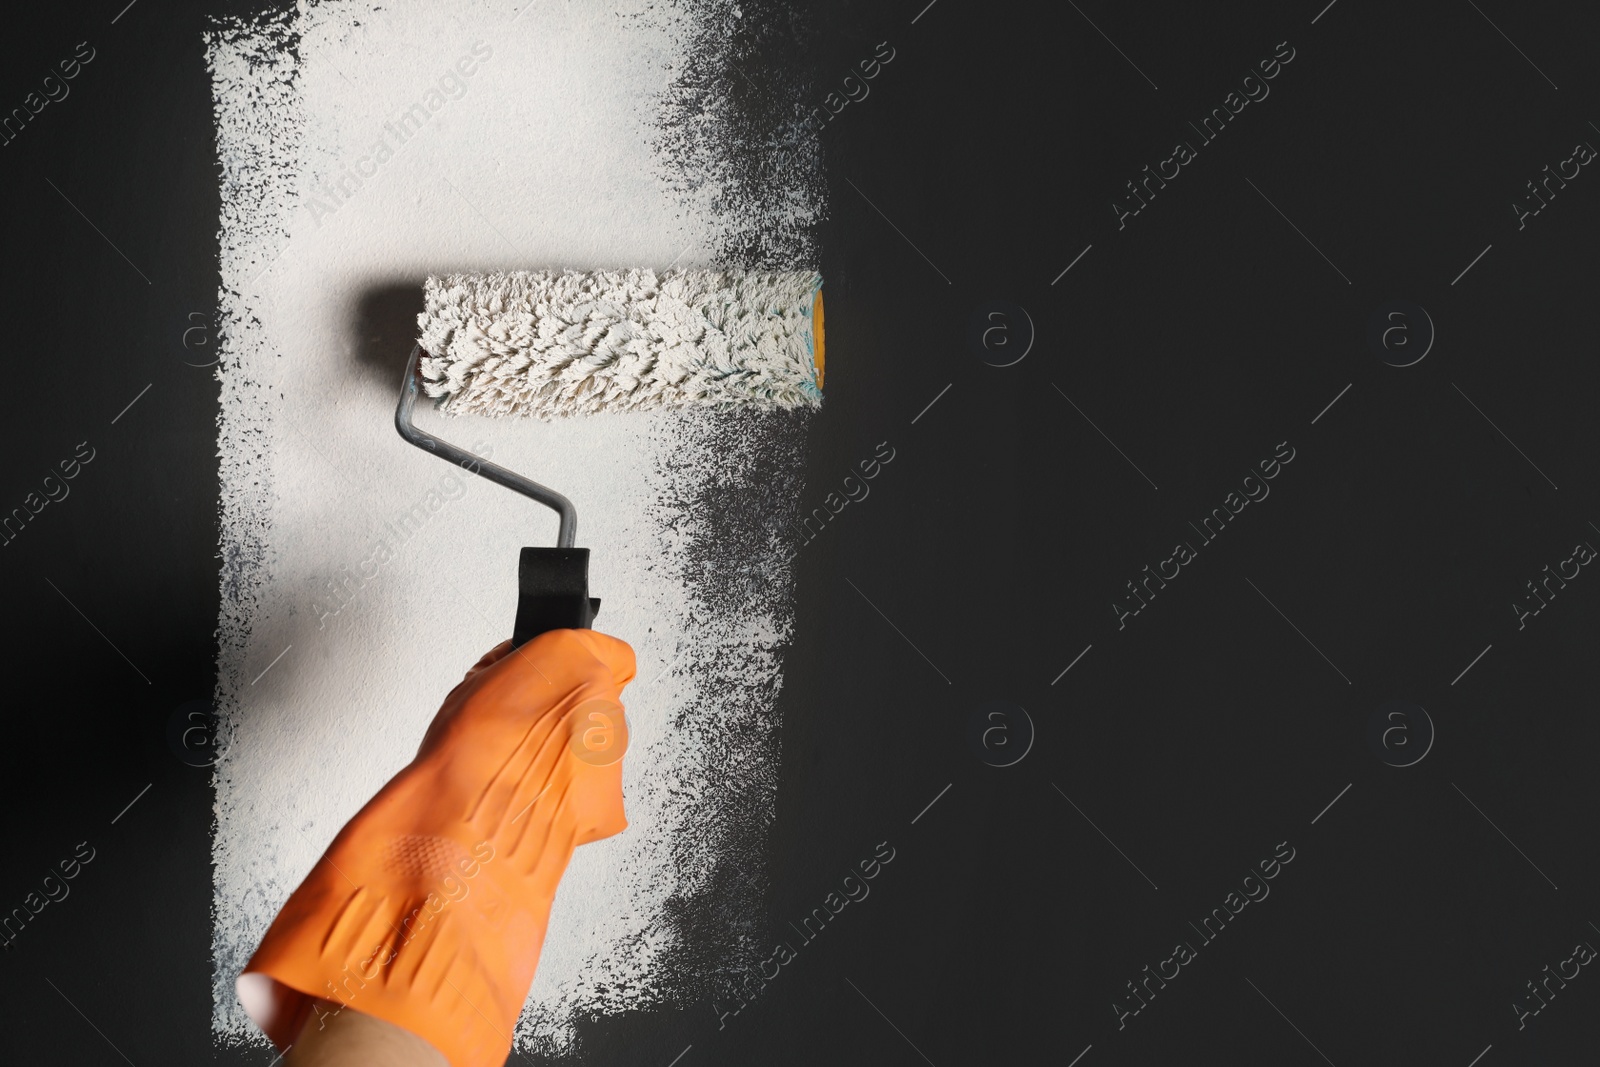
430 908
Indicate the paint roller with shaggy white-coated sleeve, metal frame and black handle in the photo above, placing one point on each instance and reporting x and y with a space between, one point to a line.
570 343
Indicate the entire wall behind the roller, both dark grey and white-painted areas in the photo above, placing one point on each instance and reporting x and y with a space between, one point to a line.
1186 647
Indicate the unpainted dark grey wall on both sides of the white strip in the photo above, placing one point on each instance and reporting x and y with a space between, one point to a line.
1182 749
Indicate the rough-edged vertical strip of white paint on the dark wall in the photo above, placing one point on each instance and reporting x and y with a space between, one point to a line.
362 150
